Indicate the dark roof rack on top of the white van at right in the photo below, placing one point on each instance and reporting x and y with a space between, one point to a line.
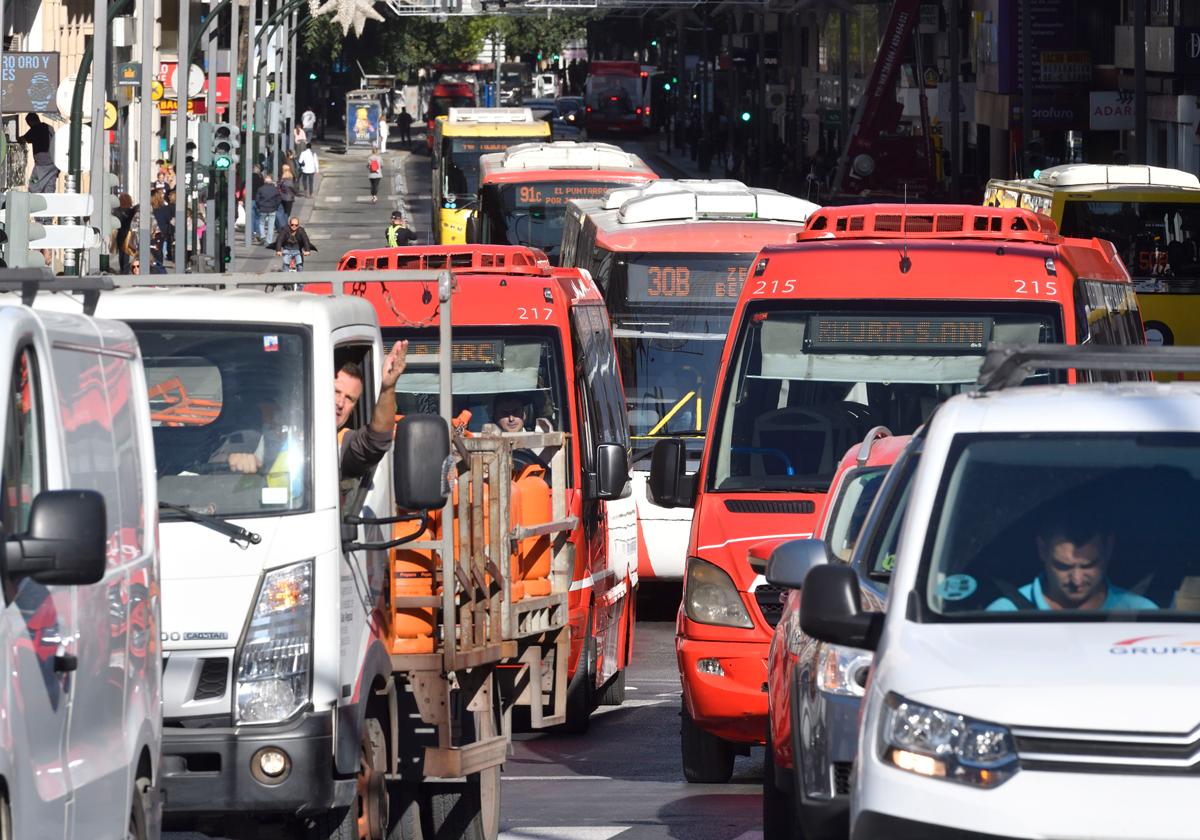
1009 365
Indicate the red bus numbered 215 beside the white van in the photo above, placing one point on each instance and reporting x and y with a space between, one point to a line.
873 317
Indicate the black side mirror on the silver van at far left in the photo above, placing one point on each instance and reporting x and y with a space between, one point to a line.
65 543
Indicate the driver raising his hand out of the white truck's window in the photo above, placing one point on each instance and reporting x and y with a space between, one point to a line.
361 449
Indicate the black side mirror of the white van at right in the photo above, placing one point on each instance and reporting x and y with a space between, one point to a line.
832 609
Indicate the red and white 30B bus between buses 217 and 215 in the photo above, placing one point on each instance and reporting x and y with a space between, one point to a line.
670 260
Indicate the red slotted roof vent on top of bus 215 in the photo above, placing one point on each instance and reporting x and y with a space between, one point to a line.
928 221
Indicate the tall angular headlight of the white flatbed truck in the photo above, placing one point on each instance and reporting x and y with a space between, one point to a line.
275 669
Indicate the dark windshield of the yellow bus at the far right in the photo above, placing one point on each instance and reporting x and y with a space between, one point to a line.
1157 241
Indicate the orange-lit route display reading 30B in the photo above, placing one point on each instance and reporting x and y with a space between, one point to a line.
688 280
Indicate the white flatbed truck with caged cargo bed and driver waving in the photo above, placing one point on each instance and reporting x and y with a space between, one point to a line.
287 705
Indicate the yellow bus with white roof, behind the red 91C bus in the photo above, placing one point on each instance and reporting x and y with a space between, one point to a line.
459 140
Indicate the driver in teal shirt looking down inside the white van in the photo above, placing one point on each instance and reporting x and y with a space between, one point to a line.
1076 549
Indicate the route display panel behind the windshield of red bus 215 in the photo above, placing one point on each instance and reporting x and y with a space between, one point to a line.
857 334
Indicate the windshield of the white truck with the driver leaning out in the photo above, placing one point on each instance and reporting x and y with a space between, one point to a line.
227 406
